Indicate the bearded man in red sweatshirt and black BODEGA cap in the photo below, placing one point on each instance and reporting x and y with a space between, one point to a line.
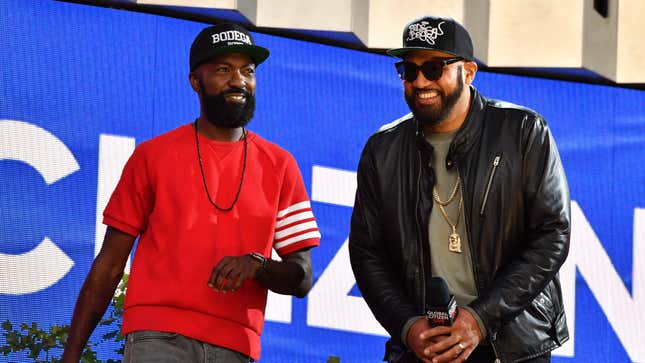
208 201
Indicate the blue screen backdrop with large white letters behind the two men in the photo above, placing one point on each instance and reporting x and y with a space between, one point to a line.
75 78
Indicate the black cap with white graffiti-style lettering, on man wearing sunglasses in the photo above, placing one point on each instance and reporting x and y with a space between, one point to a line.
435 33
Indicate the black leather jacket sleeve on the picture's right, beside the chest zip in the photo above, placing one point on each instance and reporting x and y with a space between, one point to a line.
545 244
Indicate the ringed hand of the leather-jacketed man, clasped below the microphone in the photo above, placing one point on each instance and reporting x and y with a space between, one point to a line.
459 340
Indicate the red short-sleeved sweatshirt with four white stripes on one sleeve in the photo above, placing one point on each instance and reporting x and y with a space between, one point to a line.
161 198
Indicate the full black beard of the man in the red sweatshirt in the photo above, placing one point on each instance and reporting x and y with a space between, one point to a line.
222 113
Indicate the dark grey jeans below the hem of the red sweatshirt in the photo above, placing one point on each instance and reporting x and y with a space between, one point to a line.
149 346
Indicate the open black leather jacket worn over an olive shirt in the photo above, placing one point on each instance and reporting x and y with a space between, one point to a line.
516 204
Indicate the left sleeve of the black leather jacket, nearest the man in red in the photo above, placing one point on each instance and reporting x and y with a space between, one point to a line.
371 264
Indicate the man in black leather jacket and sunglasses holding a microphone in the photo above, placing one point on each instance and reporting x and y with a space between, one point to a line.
469 189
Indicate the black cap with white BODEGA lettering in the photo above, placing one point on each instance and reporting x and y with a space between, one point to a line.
223 39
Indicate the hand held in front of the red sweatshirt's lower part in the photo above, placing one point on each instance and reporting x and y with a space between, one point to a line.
229 274
